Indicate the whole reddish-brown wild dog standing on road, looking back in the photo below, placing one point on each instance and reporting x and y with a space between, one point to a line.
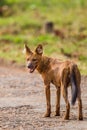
60 73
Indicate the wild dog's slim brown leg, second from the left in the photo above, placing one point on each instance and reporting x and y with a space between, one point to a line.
57 113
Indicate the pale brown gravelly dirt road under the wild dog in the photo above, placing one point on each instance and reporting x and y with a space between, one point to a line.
22 103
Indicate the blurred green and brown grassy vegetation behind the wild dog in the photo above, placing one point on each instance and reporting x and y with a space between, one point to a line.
22 21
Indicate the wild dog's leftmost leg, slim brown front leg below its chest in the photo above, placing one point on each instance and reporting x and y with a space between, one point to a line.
47 92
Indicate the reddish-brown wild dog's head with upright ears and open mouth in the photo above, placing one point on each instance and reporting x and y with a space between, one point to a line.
33 58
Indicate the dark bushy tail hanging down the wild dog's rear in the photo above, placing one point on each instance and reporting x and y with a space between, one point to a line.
74 88
